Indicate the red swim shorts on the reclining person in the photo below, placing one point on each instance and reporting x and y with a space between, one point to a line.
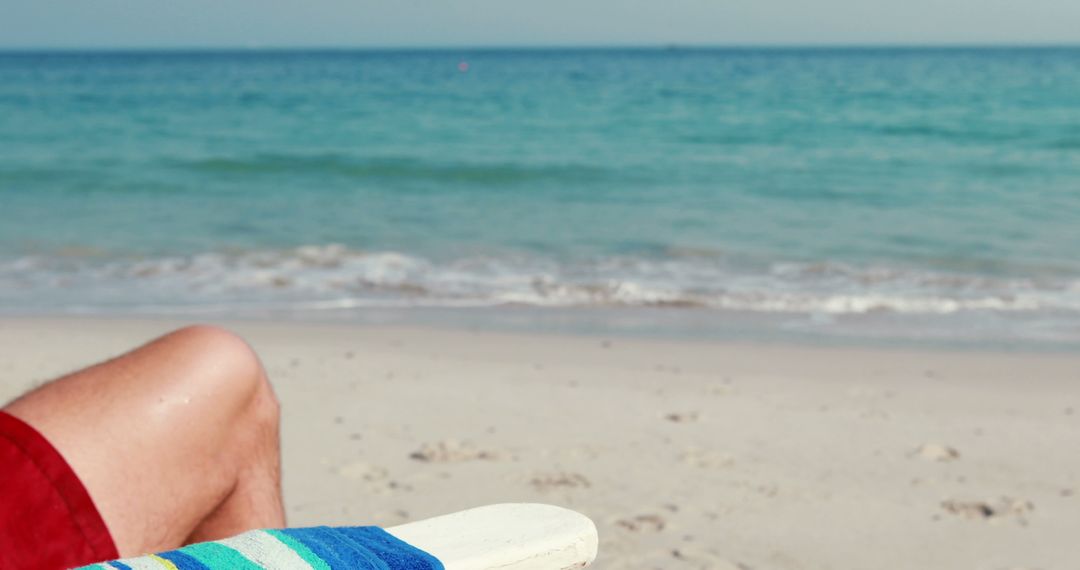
48 520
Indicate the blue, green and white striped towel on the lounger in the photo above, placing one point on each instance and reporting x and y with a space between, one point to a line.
317 549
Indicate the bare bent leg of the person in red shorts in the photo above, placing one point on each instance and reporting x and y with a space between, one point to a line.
177 442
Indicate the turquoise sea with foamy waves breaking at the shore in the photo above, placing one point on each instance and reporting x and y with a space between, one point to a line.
885 194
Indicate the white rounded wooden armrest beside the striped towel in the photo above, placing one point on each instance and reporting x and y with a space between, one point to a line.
506 537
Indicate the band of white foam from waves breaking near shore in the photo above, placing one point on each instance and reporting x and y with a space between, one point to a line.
329 278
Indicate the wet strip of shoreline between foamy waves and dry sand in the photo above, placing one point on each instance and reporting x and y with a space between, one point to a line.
644 324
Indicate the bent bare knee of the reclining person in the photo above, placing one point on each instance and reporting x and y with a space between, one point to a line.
231 364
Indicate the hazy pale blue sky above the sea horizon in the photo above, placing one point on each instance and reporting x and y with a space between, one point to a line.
111 24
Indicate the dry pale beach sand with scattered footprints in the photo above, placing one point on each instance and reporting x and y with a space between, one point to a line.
687 455
